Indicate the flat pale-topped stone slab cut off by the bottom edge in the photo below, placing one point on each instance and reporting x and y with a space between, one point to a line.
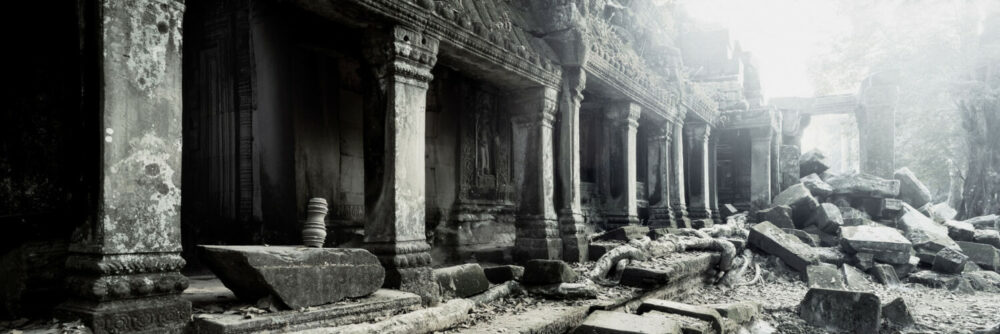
607 322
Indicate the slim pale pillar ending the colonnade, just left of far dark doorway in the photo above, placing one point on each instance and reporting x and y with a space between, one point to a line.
698 170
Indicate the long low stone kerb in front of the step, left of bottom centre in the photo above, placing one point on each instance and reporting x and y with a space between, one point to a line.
382 303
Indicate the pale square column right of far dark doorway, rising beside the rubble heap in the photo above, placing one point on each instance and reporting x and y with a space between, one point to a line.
760 168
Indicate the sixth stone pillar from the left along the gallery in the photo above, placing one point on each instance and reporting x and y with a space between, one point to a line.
659 178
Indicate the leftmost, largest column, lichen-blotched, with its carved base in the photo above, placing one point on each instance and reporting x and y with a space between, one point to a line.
123 268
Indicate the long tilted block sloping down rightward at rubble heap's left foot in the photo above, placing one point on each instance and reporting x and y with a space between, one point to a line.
772 240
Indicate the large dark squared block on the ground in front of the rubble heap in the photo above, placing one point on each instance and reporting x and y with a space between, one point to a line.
855 312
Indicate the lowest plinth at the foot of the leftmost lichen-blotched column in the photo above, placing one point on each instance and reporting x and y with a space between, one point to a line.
161 314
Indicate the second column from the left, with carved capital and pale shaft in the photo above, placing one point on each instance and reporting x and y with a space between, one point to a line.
394 230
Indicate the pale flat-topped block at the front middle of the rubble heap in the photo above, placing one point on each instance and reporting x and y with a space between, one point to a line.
884 243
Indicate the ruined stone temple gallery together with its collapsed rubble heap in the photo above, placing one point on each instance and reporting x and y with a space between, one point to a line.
418 166
